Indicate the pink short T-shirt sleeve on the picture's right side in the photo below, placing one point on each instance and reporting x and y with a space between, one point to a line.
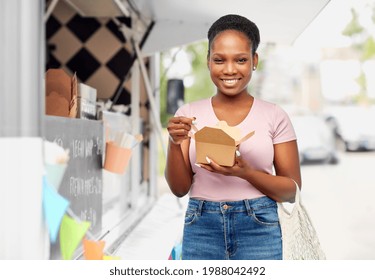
283 128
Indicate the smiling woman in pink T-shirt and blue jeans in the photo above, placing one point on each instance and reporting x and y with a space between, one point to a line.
232 211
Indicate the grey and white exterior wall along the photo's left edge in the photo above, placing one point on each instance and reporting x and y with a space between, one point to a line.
22 231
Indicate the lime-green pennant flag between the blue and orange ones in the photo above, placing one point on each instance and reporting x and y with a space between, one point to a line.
71 234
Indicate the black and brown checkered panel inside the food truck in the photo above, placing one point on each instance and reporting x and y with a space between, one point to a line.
93 48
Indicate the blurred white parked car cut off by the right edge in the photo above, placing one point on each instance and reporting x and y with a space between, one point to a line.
354 126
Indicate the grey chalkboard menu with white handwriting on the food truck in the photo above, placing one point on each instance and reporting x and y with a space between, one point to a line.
82 184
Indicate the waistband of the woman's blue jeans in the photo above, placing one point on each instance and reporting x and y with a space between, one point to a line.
248 205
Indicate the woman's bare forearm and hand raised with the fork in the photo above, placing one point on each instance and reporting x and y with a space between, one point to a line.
178 171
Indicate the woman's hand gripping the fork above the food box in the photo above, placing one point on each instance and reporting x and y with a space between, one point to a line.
179 128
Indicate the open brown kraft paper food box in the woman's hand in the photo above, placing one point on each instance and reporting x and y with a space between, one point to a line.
218 143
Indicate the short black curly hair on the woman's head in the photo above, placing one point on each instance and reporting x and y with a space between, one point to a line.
235 22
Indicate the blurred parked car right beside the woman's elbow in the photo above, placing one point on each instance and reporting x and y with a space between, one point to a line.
316 141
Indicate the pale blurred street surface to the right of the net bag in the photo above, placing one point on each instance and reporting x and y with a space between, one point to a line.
340 200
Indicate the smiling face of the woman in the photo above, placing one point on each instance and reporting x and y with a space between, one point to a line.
231 62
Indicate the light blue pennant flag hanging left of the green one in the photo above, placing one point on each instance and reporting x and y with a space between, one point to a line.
54 207
